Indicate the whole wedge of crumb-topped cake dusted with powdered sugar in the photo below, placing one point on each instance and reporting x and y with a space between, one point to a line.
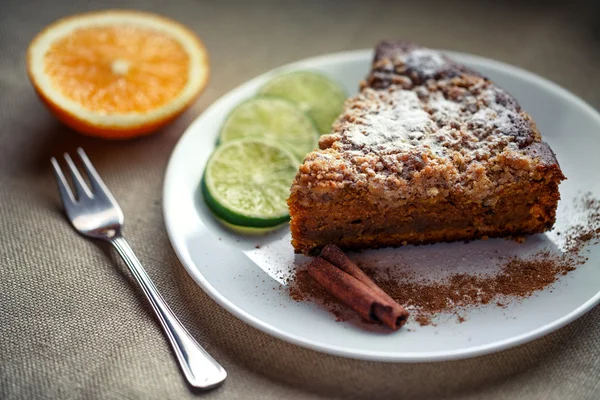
428 151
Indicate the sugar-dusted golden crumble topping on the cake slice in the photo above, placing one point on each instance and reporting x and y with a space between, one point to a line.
422 121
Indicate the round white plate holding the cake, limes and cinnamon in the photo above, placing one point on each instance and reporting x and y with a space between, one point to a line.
246 280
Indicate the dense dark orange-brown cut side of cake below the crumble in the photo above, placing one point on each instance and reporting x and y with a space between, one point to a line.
357 220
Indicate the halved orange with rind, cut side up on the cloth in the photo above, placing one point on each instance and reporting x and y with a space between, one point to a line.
117 74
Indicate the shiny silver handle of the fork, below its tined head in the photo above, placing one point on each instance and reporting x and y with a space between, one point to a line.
200 369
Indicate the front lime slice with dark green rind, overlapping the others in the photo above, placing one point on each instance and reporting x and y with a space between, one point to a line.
247 182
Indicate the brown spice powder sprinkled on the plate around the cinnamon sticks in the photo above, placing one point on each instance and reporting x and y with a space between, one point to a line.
518 278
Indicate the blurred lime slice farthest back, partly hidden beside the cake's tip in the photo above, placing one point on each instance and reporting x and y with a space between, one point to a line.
320 97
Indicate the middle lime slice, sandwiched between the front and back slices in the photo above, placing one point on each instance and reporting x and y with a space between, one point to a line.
275 120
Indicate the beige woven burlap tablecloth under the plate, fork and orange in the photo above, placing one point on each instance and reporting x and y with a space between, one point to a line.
73 325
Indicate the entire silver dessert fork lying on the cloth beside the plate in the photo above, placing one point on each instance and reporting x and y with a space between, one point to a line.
95 213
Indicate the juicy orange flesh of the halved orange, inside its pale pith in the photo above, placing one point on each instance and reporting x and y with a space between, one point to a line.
118 69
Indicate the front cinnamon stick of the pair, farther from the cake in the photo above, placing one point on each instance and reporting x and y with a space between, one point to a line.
370 305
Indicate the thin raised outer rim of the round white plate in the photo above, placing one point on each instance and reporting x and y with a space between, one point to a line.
404 357
